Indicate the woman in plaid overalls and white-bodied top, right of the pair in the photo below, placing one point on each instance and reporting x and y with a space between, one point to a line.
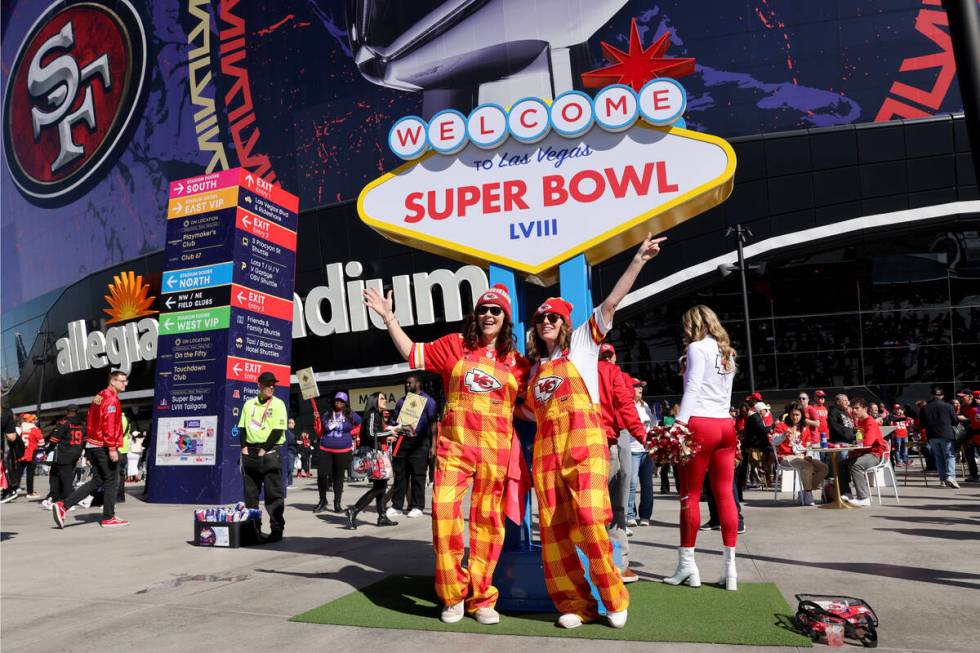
571 465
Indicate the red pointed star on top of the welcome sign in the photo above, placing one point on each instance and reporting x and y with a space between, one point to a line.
638 66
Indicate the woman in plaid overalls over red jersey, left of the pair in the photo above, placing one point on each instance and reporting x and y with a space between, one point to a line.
482 374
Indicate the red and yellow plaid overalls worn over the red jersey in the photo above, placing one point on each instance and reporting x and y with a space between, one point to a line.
474 448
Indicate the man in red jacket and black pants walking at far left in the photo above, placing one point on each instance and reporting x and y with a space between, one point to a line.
103 437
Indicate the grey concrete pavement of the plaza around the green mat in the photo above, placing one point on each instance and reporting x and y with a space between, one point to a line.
144 587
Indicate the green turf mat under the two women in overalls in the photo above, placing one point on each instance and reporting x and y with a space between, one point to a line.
756 614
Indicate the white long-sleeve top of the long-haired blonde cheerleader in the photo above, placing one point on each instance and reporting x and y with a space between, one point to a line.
707 384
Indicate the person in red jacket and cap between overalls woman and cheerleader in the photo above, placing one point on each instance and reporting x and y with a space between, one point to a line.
621 423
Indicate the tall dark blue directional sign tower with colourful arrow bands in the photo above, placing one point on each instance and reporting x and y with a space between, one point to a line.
227 291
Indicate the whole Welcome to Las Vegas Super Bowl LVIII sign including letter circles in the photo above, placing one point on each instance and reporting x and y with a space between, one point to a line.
531 186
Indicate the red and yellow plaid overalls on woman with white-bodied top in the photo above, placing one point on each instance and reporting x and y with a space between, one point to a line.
571 470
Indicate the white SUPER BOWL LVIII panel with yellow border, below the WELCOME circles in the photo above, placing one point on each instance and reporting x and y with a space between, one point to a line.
532 206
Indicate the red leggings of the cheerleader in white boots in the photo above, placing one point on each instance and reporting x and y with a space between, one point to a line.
717 456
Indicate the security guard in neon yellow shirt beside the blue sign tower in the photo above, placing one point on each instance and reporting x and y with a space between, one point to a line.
263 422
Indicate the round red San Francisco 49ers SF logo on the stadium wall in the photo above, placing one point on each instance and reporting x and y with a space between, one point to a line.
73 90
